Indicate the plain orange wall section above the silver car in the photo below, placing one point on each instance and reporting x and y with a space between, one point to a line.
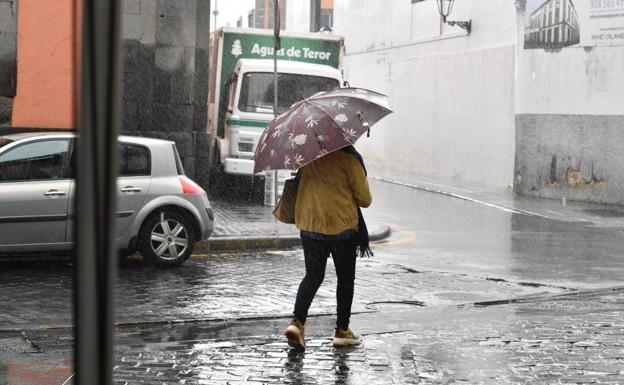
45 64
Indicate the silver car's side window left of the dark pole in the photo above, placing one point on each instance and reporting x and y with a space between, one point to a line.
45 159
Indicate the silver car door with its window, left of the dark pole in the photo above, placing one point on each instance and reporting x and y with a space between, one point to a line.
34 195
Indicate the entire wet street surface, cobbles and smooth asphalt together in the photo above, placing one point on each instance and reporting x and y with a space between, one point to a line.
543 316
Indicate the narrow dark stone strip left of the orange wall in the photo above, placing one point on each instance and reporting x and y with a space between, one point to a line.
8 57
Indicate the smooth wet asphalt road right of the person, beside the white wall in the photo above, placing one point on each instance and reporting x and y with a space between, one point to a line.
454 235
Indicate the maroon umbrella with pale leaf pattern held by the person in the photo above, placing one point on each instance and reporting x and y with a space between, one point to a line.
317 126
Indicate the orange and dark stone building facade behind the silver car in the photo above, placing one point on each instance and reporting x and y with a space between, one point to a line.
165 64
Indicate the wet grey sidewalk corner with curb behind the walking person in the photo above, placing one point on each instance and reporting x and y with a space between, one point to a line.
242 226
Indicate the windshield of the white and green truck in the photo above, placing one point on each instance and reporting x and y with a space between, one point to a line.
257 90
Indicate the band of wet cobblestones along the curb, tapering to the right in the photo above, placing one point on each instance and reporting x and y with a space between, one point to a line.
231 287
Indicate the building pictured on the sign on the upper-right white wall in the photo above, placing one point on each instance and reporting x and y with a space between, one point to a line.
554 24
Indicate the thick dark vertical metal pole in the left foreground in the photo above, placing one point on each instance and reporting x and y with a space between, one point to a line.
96 162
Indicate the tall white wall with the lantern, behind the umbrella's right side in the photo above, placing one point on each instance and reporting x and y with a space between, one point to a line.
453 95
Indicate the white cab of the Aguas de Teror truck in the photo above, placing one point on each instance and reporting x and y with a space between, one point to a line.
248 103
